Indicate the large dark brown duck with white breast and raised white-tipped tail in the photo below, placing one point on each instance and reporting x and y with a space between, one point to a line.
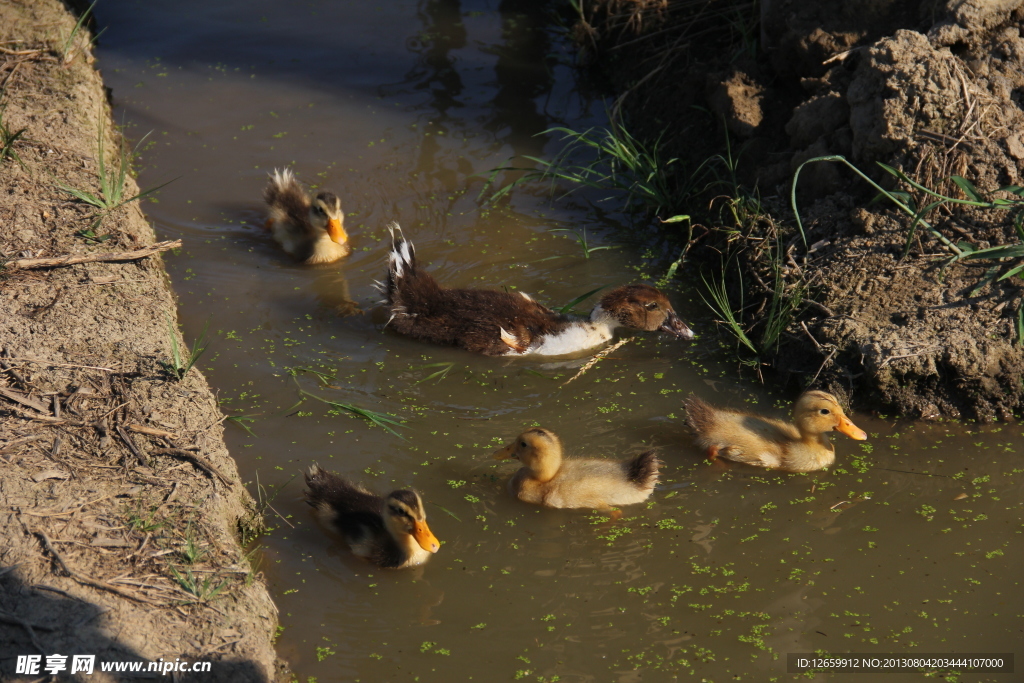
511 324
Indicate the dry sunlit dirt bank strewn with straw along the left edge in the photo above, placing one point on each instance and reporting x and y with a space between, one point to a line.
121 506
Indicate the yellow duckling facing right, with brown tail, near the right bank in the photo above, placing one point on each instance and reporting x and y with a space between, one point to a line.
750 439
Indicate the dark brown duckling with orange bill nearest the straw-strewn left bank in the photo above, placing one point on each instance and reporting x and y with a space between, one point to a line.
391 532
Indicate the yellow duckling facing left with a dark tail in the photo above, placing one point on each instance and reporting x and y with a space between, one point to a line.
546 479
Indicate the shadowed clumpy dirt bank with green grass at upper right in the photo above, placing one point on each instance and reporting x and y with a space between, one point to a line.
931 89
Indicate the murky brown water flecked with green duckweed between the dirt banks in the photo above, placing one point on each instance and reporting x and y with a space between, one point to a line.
911 544
